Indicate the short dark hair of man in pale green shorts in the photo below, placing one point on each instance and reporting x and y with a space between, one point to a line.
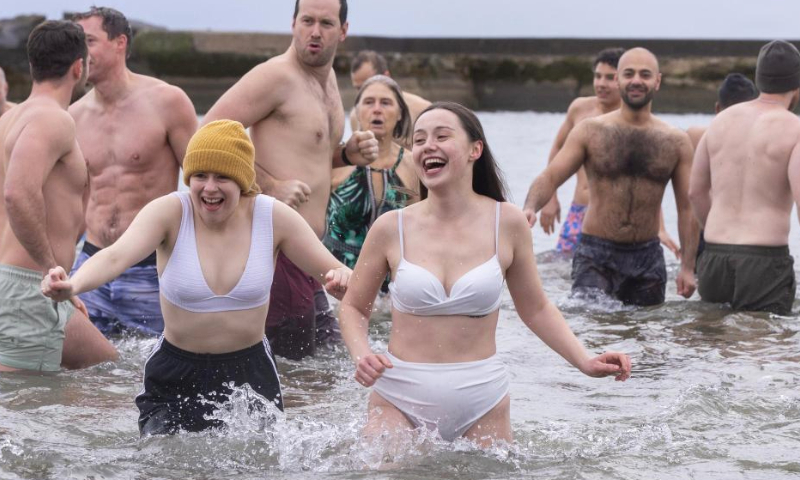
53 46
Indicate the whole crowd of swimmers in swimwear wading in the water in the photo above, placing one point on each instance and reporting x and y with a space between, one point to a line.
235 270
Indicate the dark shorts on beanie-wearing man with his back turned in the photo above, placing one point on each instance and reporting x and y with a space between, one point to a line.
751 278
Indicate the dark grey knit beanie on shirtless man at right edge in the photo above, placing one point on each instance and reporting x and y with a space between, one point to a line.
778 67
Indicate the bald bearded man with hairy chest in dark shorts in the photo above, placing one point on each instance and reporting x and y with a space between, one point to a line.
629 156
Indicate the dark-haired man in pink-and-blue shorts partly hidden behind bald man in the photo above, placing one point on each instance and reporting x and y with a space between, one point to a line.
606 99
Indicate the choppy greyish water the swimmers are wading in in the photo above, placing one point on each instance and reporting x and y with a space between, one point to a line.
714 394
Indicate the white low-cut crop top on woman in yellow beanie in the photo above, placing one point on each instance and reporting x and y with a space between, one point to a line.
183 283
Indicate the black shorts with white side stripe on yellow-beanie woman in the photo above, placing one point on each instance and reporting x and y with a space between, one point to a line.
178 385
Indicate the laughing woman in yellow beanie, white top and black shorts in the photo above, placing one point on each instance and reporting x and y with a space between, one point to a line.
216 247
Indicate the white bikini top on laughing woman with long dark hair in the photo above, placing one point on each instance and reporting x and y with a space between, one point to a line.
417 291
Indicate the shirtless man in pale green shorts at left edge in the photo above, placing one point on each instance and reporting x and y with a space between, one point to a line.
43 180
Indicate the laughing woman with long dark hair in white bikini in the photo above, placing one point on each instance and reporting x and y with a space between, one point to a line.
448 256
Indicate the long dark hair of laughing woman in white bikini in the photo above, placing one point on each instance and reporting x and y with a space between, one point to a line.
487 179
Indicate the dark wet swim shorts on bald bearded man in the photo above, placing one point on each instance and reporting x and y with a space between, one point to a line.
634 273
